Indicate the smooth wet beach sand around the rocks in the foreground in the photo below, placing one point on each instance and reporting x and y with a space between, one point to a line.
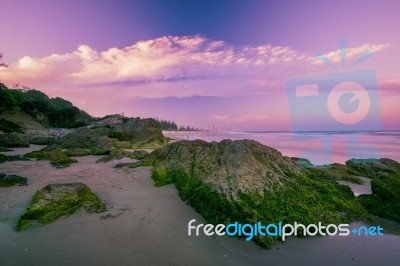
146 225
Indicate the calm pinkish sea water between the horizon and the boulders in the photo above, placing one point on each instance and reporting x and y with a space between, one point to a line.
318 147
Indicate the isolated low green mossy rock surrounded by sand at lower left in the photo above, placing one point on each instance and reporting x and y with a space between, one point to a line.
56 200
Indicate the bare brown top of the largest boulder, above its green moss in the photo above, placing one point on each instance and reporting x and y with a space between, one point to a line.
230 167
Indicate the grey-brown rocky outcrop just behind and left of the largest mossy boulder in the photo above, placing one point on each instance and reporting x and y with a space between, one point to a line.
113 132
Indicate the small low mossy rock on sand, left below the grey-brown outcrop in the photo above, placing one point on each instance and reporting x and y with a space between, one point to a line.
57 157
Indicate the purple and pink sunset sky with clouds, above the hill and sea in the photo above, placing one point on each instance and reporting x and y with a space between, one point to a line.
222 64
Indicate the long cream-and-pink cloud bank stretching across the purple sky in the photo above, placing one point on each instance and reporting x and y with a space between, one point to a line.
152 68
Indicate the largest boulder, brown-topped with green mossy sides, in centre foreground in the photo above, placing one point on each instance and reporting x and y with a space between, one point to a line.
247 182
